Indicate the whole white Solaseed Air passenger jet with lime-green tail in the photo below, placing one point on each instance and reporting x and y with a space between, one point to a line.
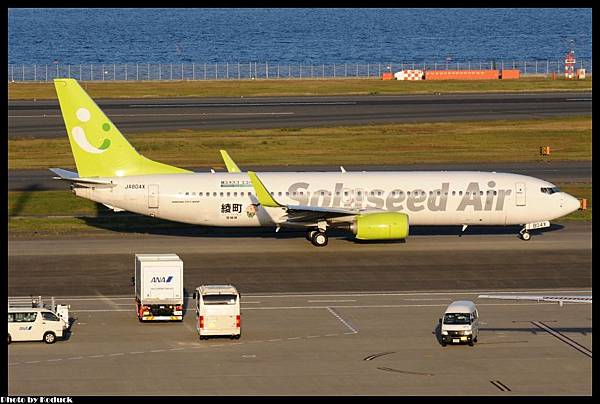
371 205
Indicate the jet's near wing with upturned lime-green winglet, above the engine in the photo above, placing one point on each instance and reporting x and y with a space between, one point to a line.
297 213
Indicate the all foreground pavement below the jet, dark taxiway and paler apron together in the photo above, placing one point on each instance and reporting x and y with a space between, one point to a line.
348 319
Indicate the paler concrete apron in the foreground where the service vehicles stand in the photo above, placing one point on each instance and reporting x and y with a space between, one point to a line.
379 343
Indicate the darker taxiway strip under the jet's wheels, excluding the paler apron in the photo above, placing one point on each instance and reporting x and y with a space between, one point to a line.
260 260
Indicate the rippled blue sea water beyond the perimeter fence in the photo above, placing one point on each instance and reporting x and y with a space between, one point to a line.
74 36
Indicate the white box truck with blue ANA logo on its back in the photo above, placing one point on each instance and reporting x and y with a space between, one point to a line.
158 287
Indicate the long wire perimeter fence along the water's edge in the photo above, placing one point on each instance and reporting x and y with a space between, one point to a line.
255 70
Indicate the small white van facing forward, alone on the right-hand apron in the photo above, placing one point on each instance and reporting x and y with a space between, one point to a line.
460 323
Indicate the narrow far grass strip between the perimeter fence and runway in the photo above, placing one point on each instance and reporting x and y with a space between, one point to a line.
293 87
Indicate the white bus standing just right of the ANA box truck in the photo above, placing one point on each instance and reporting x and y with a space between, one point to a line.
217 311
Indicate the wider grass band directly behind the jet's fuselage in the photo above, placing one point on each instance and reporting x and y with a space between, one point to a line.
386 144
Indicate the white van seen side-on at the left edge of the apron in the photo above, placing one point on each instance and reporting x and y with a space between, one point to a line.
34 324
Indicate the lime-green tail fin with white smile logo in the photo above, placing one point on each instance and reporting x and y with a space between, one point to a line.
98 147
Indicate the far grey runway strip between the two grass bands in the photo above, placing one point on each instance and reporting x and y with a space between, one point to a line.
43 118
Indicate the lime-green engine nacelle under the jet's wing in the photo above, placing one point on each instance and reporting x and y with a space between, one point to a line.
381 226
